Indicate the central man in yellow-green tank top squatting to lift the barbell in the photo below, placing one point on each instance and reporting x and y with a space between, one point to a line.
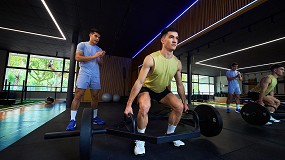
155 76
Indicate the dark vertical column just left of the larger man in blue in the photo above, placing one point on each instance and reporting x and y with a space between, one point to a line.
71 75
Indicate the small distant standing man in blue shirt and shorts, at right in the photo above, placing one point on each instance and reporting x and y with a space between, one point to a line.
233 76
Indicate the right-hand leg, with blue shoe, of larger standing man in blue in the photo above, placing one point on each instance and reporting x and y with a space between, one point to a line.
94 106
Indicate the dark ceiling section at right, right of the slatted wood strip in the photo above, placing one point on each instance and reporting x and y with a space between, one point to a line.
262 24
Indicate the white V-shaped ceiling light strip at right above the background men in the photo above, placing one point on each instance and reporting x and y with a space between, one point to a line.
239 50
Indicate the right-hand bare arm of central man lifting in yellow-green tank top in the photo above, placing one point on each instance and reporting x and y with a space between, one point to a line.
180 87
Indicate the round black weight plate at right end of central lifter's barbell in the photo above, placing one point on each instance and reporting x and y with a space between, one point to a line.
210 120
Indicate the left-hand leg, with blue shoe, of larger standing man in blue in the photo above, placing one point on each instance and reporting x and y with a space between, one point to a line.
74 107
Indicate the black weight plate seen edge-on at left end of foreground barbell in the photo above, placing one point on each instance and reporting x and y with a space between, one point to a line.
86 136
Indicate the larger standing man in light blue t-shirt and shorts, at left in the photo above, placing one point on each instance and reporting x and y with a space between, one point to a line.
89 56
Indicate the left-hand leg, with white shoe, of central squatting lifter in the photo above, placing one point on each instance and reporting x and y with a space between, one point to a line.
142 120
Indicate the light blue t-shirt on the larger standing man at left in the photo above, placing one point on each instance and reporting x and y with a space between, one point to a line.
89 67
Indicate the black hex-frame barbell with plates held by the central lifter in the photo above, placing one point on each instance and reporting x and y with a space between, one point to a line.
205 119
